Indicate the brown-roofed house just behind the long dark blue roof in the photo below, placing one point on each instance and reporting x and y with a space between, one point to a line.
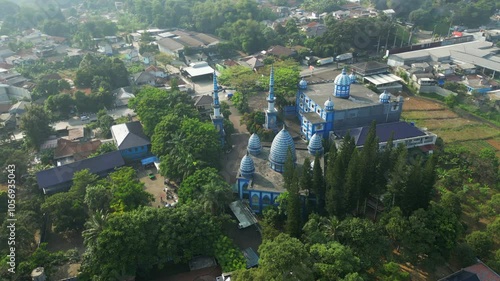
68 151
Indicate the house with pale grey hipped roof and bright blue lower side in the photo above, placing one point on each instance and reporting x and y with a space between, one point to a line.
131 141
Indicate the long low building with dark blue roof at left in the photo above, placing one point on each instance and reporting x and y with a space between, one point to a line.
61 178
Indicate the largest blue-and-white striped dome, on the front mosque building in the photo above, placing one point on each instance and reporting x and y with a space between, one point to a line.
279 150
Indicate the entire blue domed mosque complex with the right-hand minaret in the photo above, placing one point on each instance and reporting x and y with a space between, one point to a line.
326 110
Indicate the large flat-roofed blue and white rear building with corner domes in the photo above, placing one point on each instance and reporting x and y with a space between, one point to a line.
350 105
